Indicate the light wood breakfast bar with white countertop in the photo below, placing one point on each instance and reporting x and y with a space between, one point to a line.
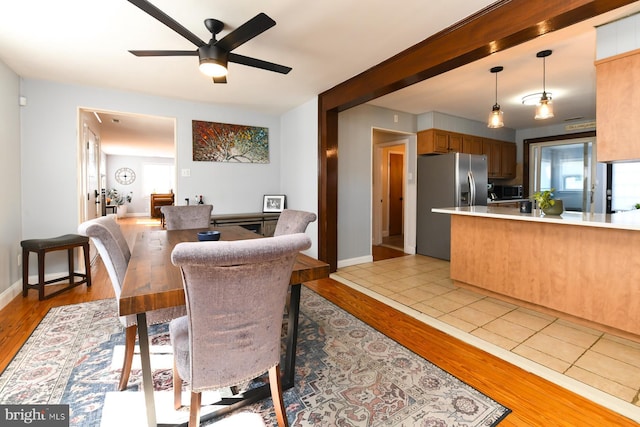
584 265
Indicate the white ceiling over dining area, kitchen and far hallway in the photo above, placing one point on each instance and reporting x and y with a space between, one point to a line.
86 43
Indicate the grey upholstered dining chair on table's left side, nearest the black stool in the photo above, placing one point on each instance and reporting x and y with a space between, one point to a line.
114 251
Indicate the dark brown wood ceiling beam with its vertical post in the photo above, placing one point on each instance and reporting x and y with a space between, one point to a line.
500 26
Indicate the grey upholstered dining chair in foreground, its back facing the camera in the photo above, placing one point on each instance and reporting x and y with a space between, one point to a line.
235 293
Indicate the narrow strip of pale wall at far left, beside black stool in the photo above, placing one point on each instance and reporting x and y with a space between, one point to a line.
10 176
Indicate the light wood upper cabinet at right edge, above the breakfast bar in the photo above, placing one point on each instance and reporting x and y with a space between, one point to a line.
618 106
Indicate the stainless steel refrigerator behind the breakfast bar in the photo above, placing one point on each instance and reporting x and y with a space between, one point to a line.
444 181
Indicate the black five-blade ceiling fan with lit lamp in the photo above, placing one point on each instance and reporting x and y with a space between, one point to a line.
214 55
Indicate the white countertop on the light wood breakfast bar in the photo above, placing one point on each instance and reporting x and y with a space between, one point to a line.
623 220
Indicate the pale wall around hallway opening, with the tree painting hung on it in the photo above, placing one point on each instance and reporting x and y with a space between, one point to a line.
50 151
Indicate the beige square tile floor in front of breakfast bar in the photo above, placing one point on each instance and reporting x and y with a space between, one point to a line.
604 361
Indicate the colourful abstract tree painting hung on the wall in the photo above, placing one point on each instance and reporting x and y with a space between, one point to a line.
222 142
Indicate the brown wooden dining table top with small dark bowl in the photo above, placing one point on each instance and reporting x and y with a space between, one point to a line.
153 282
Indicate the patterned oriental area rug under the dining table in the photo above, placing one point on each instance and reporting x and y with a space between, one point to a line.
347 374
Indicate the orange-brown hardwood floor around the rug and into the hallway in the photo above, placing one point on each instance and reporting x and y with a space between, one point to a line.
534 401
